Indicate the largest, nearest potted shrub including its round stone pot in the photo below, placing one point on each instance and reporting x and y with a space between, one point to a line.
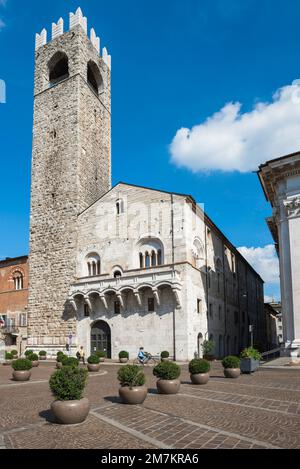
67 386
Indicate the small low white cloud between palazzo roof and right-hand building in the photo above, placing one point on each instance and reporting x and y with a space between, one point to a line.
264 260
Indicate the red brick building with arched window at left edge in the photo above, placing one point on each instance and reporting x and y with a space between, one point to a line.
13 302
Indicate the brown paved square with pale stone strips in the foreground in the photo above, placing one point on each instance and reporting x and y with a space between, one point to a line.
255 411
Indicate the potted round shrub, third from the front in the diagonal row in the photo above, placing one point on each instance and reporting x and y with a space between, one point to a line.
168 374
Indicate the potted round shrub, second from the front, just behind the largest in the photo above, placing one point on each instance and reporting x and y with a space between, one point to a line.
132 380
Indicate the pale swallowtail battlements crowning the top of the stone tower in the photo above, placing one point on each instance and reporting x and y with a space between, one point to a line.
75 19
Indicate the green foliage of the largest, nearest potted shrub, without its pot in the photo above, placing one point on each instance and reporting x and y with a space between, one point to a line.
68 383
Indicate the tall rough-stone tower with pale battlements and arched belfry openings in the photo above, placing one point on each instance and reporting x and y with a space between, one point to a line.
71 168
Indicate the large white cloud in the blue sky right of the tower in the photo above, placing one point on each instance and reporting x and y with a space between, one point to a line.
230 140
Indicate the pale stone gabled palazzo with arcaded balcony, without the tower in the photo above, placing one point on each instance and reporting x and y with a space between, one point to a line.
203 289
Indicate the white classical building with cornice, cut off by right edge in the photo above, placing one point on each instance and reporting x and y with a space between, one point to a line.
280 179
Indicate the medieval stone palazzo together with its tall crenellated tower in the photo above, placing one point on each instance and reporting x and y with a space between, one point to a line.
123 267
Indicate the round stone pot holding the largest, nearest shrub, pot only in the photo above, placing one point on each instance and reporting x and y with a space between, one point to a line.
71 412
